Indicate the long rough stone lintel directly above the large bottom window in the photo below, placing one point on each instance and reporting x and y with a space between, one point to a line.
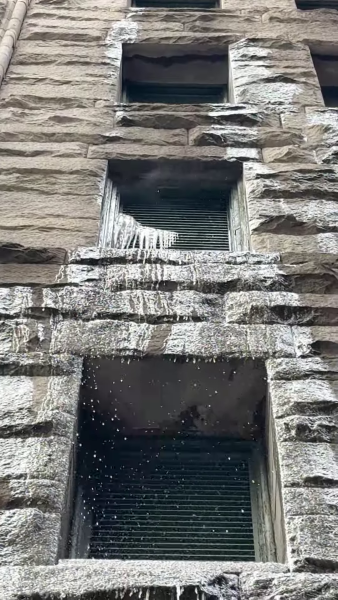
108 338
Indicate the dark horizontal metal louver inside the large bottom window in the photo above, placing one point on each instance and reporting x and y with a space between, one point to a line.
172 499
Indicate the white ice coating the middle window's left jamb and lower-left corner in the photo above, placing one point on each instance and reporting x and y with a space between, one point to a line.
119 230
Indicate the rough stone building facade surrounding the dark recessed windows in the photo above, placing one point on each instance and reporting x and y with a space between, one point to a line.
64 132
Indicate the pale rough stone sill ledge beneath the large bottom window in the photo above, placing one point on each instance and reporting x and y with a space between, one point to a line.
81 578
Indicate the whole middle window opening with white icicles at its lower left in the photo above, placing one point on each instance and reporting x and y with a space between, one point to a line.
181 205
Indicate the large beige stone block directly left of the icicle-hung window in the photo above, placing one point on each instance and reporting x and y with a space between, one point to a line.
72 212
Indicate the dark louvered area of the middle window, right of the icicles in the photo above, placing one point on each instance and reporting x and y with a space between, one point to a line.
201 221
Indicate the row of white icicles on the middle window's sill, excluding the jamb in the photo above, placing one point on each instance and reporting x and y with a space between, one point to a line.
128 233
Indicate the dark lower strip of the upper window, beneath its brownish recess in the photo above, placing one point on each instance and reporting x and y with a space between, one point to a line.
169 93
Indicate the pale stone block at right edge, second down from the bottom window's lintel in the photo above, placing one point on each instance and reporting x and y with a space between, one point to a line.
303 397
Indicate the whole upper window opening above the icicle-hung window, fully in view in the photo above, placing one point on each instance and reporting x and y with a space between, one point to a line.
174 74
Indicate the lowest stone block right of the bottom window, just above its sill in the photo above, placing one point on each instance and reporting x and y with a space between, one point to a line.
312 542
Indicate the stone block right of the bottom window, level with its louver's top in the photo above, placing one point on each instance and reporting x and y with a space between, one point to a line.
305 464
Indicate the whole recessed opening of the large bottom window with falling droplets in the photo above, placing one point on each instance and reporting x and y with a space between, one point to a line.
170 462
